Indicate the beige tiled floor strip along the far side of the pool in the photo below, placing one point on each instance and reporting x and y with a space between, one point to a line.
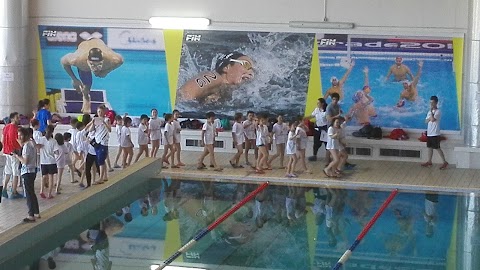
372 174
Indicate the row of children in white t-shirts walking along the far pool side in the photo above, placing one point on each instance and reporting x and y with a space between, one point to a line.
253 133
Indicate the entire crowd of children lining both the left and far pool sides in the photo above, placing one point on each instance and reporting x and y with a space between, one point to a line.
83 150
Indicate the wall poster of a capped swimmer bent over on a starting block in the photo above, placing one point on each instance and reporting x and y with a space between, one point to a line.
83 67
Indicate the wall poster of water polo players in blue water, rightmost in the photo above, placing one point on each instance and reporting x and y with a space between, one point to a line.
389 81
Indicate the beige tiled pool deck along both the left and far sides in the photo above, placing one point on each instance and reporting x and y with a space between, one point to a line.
381 175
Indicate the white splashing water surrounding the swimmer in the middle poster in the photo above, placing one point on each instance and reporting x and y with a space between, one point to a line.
282 67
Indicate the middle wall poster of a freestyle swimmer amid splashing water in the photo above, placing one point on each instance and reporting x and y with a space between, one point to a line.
228 72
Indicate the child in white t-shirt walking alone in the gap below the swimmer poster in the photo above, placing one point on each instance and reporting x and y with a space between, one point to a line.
208 141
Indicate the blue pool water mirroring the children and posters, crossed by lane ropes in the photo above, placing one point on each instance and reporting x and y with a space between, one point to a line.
283 227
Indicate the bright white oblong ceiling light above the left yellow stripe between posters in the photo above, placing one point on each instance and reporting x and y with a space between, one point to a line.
179 23
